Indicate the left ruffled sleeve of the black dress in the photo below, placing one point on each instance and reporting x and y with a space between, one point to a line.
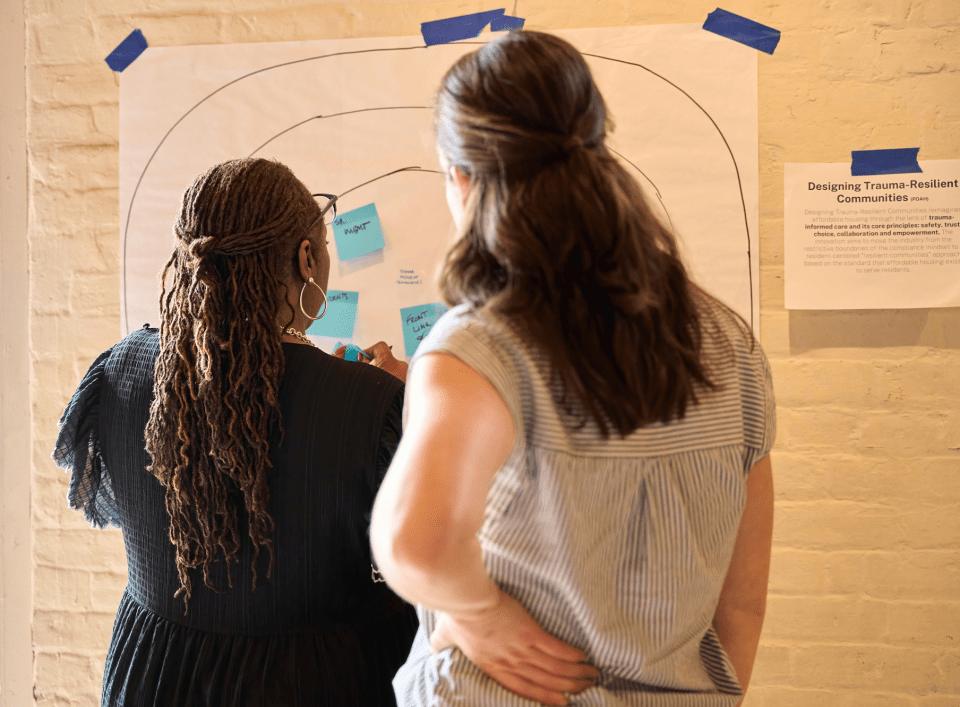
78 451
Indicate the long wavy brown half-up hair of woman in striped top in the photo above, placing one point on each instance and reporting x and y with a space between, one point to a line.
559 238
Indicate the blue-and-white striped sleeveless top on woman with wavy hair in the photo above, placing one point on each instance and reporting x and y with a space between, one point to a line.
619 546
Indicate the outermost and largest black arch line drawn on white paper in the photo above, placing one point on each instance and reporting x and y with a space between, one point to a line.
392 49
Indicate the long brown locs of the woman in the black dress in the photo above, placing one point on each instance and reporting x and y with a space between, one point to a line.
216 379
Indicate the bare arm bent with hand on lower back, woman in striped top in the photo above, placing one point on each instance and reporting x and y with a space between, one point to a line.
458 435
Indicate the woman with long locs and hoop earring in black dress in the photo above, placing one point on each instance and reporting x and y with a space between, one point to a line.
241 464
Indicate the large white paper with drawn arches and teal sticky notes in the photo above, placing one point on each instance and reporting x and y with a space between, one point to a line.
340 113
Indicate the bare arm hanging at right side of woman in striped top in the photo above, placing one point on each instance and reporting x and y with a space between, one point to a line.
739 616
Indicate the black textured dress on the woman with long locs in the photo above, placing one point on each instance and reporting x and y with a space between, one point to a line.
320 631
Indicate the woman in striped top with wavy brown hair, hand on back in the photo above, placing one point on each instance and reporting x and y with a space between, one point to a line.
582 501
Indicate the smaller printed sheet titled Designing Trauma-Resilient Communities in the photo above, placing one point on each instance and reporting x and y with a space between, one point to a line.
871 242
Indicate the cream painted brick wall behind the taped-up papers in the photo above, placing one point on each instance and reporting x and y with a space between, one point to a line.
865 594
